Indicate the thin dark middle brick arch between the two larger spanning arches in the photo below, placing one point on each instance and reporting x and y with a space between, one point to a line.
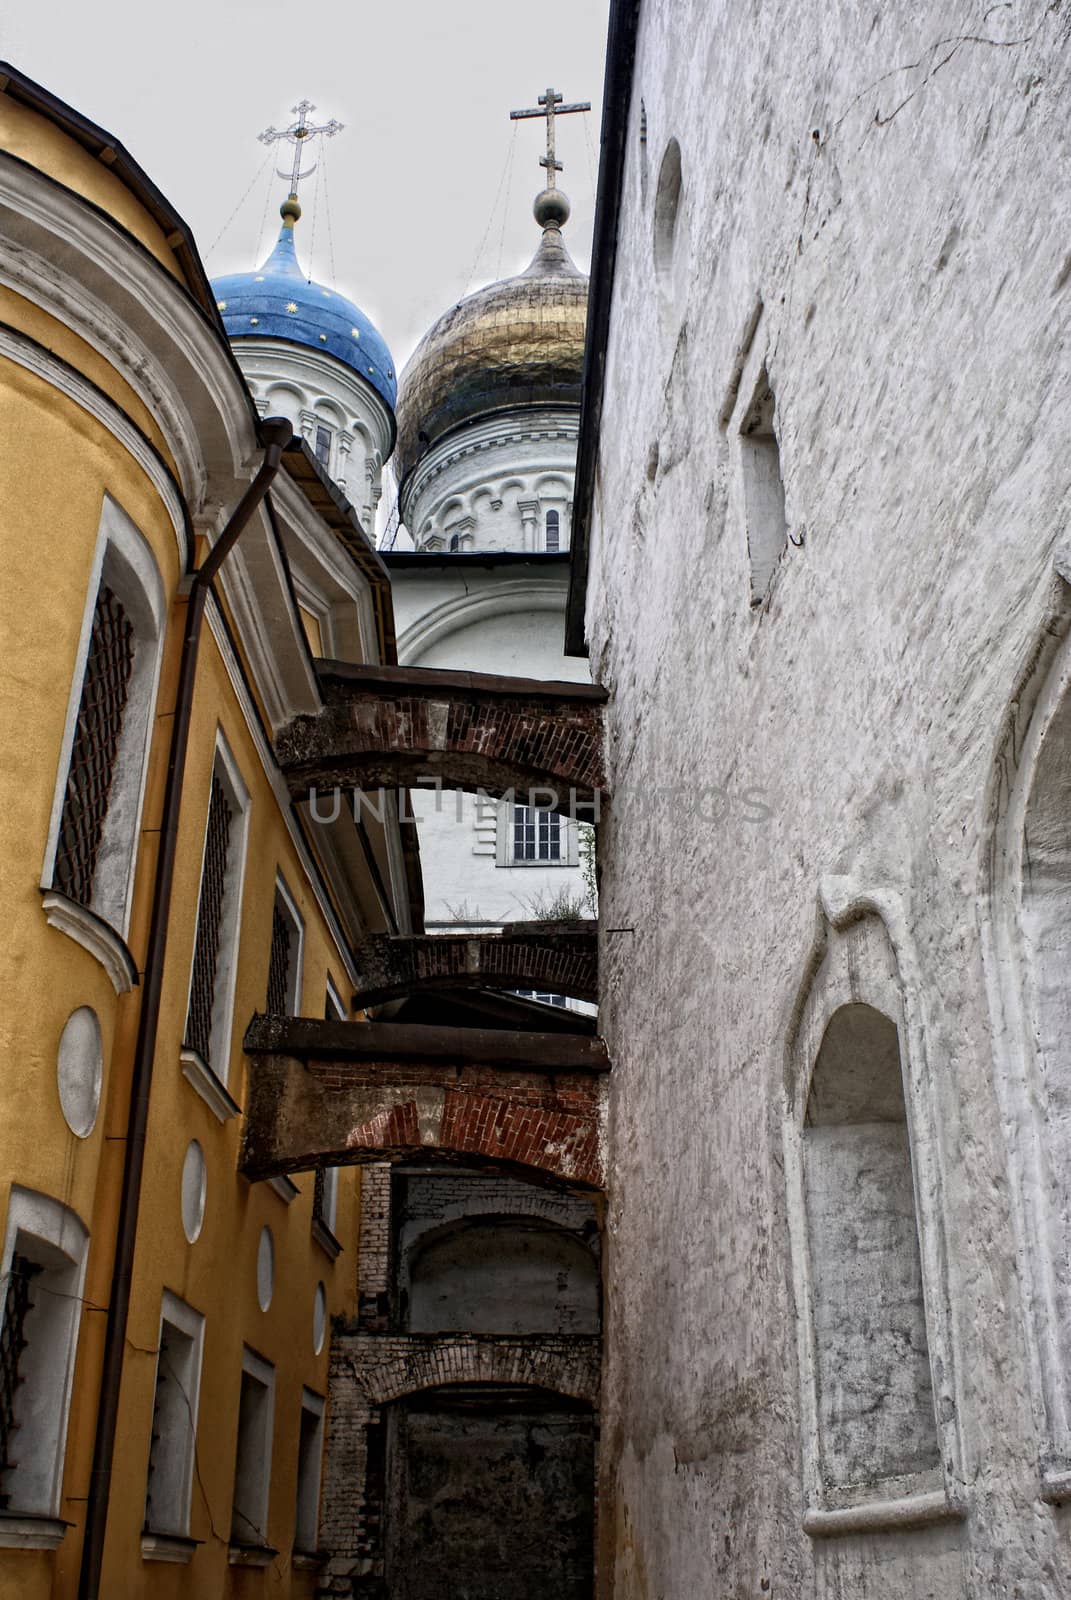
555 958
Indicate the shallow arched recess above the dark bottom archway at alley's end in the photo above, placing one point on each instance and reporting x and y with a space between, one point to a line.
502 1276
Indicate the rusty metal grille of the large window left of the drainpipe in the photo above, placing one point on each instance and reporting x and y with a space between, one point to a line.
97 735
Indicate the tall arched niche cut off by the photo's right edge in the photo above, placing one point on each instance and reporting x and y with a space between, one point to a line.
1027 943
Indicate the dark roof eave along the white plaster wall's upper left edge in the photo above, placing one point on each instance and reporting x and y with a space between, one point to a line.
614 143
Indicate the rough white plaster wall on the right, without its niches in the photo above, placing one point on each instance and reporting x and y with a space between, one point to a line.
915 281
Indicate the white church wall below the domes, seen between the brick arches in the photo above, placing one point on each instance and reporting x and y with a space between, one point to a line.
507 620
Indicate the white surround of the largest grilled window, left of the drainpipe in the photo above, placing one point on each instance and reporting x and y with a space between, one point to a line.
126 562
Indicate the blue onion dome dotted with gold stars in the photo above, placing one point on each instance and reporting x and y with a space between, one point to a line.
281 303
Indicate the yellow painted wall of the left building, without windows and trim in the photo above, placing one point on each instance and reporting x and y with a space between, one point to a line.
57 468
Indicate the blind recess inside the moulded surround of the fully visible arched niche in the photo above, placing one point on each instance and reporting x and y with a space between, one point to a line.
872 1358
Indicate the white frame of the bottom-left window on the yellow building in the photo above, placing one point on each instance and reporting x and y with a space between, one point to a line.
50 1234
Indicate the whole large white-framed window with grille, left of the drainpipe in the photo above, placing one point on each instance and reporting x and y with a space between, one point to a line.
103 762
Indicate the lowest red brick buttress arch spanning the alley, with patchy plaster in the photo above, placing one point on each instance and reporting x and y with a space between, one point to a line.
371 1092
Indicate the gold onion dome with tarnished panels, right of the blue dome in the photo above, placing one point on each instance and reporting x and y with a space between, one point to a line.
519 342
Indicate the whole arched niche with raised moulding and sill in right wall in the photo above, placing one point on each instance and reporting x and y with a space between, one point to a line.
878 1401
